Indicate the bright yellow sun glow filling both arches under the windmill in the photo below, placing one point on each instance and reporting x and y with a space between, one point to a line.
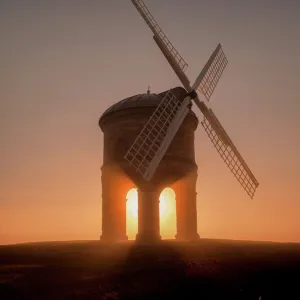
167 213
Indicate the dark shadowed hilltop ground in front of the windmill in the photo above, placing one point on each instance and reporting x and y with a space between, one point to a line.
209 269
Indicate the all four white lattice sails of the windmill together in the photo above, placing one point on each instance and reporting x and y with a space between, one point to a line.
151 144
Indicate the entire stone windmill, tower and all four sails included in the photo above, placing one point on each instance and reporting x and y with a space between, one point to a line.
155 135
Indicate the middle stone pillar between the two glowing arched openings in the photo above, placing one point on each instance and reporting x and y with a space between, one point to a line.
148 215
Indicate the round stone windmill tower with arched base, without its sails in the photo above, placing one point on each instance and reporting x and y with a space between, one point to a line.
121 123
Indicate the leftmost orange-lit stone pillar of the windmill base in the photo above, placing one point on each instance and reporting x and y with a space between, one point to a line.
113 204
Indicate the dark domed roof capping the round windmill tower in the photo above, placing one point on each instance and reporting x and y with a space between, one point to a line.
142 100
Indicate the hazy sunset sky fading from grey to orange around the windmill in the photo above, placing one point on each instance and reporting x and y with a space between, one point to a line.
62 63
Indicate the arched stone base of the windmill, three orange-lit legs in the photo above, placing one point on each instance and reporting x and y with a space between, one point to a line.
115 186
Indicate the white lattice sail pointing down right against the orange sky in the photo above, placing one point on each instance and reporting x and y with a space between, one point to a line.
229 153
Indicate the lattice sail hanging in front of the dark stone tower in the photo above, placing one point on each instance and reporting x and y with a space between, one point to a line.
150 146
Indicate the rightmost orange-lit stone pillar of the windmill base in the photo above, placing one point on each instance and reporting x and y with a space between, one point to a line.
186 207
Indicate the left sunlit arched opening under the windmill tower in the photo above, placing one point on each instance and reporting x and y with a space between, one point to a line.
132 213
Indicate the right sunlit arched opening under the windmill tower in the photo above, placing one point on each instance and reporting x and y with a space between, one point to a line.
167 214
